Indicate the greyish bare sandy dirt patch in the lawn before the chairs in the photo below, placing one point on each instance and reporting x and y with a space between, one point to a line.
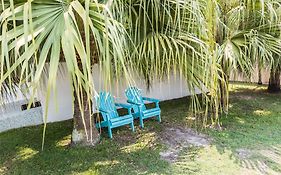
176 139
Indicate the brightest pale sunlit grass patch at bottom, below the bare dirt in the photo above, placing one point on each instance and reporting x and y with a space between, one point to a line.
207 161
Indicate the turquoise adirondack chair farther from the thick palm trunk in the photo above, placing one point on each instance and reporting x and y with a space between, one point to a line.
135 98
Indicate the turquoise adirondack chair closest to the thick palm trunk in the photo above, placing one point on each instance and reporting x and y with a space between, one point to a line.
111 119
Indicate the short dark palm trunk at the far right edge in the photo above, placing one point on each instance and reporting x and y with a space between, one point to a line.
274 81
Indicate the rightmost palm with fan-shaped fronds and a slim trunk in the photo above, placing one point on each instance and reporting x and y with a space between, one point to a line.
247 33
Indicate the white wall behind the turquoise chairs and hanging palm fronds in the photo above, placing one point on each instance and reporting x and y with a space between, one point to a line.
60 102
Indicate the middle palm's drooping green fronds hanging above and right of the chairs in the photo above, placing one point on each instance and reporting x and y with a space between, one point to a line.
170 36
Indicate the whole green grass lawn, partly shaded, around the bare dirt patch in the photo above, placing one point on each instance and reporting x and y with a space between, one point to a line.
250 143
